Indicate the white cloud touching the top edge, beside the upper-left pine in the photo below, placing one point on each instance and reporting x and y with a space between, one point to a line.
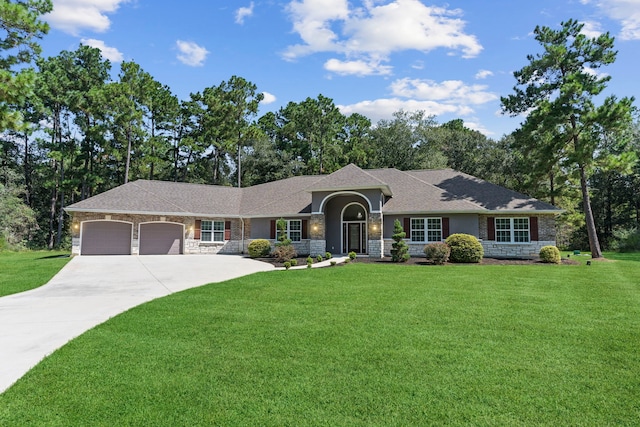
72 16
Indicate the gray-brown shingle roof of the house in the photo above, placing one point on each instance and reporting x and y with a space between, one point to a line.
410 192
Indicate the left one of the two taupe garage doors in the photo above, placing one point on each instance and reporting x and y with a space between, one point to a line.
106 238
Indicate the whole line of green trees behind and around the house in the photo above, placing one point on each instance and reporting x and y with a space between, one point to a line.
70 131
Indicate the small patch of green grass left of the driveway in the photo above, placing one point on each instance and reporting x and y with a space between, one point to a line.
21 271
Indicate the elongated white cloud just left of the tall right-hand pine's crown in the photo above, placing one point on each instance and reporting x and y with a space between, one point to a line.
448 91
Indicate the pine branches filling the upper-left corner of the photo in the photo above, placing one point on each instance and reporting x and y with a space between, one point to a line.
20 27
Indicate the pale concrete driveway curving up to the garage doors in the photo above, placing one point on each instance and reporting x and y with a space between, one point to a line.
91 289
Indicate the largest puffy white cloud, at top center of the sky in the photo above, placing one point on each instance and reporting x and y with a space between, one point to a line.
371 33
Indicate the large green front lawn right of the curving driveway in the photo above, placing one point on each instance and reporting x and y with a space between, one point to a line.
363 344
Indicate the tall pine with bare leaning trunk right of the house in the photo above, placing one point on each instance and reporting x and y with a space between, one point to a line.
557 88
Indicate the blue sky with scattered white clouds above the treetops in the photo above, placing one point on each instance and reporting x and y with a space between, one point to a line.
374 57
